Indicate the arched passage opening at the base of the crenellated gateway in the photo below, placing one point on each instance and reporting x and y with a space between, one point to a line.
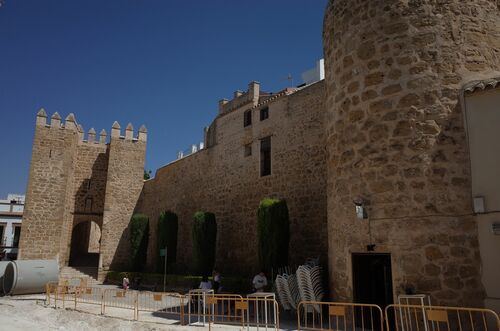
85 245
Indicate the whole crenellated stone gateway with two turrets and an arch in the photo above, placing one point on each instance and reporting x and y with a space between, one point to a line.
81 193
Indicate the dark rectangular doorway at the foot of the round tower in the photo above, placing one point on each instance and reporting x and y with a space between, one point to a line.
372 278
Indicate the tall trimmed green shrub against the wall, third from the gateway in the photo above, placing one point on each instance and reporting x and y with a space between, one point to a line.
204 235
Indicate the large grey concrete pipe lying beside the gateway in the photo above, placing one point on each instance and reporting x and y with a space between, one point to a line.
29 276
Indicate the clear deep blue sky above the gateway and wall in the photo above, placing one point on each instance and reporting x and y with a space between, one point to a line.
162 63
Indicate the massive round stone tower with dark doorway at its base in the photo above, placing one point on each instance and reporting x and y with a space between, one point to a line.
396 138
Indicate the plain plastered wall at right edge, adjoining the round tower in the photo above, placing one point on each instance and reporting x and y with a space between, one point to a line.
483 124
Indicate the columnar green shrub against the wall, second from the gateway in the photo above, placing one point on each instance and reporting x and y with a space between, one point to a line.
168 225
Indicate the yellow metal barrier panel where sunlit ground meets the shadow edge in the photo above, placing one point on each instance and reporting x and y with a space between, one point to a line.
167 304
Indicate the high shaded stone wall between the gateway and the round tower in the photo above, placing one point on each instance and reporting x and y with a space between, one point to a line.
222 180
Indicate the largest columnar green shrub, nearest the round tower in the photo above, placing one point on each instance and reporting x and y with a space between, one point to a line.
273 231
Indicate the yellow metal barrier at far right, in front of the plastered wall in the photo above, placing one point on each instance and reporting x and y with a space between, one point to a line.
437 318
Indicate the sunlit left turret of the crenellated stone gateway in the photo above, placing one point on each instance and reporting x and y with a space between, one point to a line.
45 219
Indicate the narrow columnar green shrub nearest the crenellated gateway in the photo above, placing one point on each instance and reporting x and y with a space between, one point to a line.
139 235
